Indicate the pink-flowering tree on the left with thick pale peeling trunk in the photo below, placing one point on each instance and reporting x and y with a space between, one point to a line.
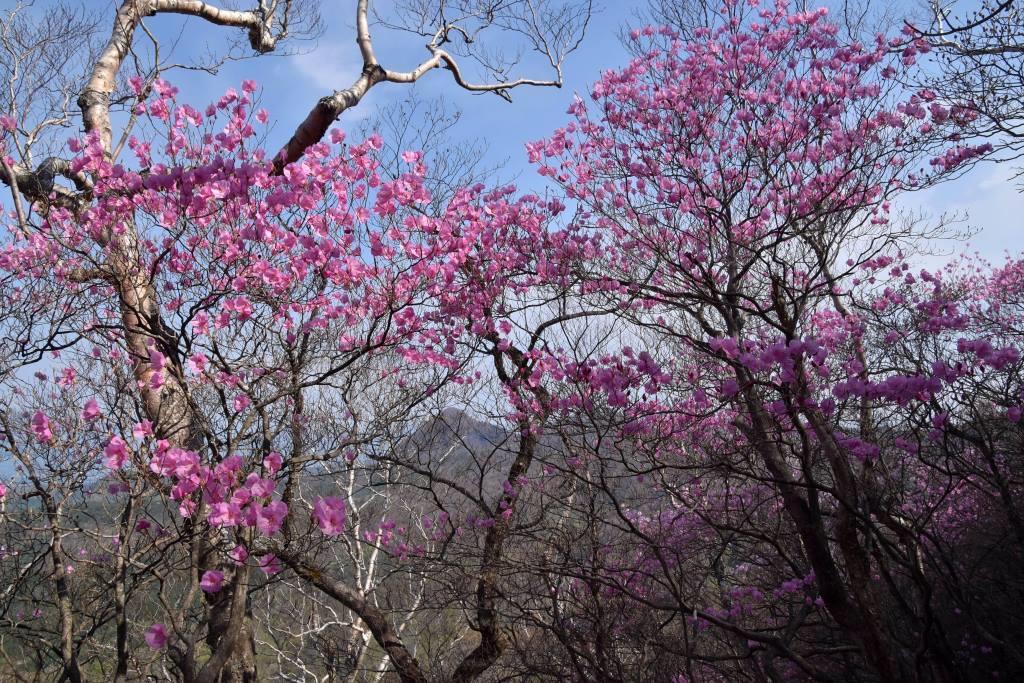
219 363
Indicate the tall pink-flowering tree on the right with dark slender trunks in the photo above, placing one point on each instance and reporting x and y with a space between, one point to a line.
743 181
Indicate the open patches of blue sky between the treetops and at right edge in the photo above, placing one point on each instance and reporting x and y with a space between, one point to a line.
987 199
